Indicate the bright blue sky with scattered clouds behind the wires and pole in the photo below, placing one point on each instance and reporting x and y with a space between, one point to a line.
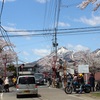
38 15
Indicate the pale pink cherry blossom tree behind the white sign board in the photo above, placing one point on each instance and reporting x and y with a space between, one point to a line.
87 57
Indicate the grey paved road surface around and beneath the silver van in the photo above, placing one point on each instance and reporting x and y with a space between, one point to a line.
46 93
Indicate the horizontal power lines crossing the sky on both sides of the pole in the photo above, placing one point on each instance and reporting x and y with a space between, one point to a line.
70 31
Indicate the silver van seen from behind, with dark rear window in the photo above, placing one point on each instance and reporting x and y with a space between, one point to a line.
26 85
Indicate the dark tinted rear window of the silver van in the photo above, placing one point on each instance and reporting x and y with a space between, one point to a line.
26 80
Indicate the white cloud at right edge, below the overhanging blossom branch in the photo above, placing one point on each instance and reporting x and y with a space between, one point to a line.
95 20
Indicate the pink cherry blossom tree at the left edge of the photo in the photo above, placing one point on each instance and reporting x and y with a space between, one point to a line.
6 55
